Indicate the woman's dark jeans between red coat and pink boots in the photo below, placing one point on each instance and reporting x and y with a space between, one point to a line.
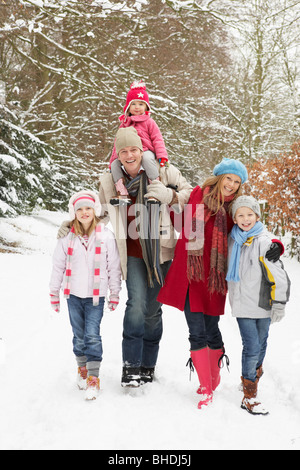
203 329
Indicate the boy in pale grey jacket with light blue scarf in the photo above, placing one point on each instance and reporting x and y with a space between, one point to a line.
258 292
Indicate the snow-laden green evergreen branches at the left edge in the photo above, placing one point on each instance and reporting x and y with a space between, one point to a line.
31 174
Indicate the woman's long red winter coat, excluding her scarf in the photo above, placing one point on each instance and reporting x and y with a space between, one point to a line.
176 286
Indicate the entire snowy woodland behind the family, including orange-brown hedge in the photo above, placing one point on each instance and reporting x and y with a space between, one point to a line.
223 78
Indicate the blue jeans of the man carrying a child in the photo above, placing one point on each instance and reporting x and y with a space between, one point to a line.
142 326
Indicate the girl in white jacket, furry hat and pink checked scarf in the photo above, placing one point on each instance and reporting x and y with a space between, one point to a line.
85 264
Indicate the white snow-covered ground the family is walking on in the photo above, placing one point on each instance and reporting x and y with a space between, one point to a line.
41 408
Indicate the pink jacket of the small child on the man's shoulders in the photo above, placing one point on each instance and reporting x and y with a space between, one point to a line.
149 133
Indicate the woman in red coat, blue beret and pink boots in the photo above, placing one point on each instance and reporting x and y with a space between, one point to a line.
196 280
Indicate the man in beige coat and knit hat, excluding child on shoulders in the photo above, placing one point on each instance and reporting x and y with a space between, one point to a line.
146 240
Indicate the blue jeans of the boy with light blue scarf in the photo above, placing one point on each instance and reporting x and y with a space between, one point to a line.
254 333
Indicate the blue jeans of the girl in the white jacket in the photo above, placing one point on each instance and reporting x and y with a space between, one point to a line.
85 321
